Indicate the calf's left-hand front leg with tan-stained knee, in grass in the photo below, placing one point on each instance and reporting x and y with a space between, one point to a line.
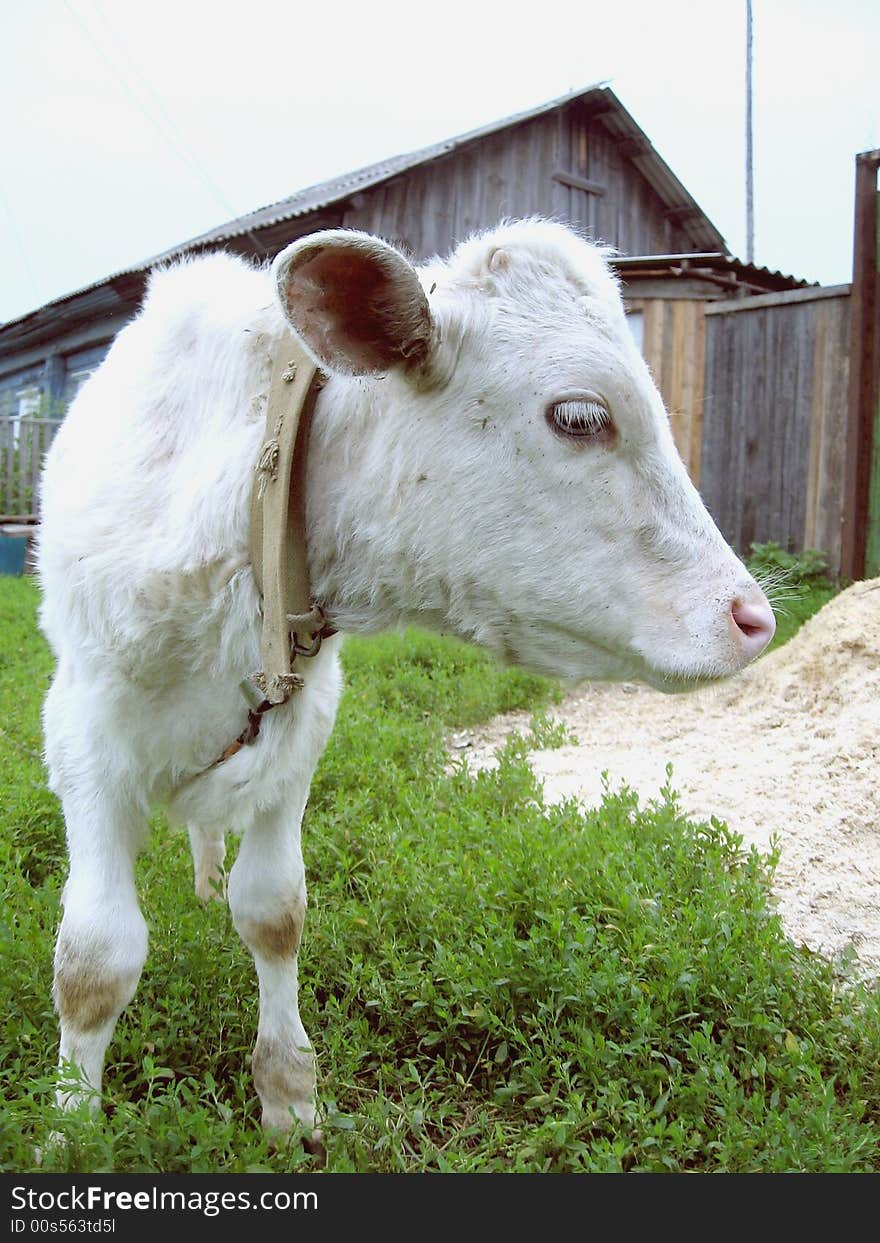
103 942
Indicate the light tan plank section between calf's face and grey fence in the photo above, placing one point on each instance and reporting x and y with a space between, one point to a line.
673 344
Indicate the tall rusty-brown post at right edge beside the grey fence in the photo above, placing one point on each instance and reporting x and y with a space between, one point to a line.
864 328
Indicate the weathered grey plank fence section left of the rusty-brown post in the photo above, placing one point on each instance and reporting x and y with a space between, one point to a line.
775 418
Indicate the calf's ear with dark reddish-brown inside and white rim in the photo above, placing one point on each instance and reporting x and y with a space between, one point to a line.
355 301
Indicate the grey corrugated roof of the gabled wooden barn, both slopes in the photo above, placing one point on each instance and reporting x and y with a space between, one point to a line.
315 198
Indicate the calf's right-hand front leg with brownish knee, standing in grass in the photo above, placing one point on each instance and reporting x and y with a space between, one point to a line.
268 901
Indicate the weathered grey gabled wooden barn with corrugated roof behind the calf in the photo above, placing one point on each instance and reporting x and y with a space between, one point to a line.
581 158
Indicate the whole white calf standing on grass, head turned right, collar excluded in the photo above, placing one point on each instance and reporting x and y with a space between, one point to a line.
489 458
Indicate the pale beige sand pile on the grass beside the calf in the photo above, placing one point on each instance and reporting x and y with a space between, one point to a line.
791 750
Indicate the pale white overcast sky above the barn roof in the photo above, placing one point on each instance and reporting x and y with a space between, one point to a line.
130 127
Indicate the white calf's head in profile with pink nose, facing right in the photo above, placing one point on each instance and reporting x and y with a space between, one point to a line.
520 474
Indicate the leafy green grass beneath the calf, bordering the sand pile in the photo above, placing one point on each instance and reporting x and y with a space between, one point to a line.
492 985
